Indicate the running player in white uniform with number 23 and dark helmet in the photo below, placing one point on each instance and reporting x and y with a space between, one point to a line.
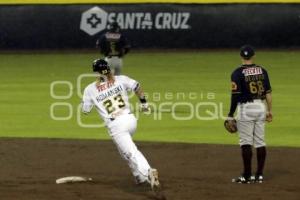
109 96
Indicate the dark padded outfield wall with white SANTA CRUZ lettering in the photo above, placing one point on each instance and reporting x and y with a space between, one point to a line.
150 25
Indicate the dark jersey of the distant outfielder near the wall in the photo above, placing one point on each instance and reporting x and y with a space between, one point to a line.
113 44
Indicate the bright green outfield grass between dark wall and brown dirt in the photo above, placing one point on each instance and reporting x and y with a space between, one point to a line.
25 95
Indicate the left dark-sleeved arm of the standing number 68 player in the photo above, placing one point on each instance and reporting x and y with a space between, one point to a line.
235 93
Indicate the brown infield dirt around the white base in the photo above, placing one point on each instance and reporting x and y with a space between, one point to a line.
29 168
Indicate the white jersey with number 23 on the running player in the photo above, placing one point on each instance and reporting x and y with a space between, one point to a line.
109 98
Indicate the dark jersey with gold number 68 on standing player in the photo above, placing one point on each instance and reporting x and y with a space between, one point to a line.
250 82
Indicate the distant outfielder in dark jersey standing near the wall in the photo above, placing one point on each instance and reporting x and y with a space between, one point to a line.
114 45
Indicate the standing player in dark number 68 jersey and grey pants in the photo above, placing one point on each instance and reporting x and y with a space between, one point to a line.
250 90
